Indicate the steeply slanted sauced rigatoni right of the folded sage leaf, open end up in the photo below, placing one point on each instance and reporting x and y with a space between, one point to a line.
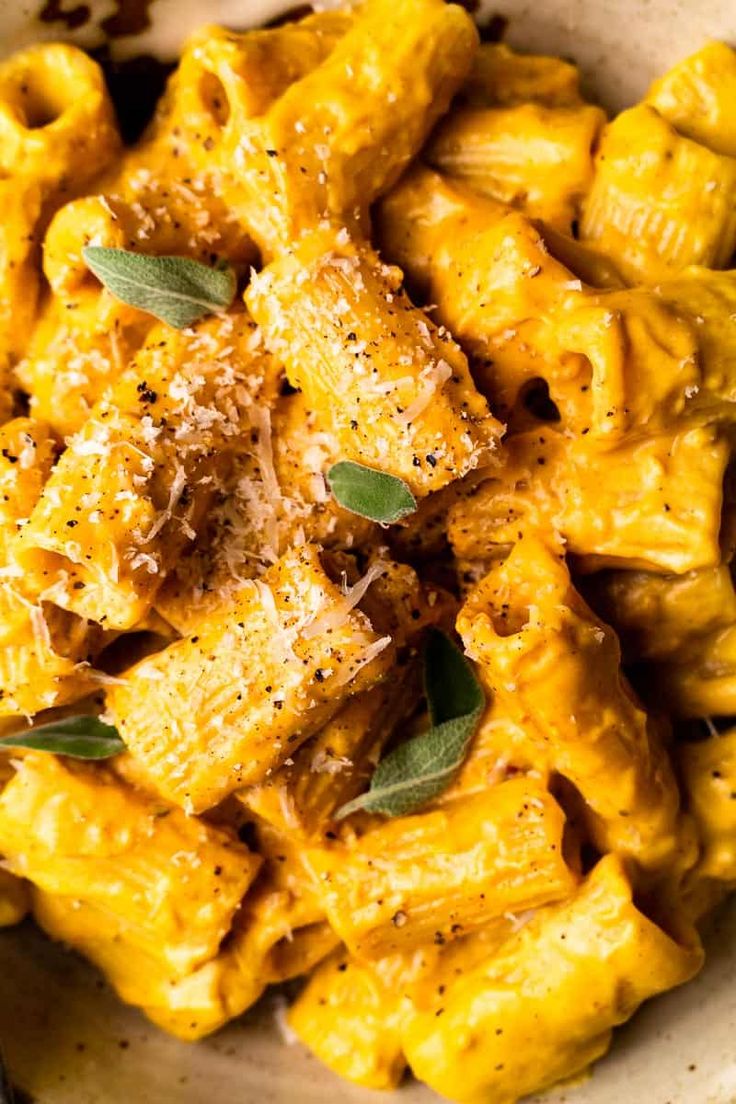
538 645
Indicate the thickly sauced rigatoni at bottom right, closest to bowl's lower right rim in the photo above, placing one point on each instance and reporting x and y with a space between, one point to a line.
579 969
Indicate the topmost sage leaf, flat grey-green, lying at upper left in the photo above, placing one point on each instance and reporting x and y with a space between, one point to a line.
177 291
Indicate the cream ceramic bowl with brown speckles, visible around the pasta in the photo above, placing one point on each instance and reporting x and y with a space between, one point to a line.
67 1038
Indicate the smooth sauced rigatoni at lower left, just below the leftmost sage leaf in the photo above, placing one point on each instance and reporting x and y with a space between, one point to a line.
148 866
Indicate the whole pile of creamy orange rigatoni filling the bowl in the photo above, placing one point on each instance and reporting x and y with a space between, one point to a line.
463 292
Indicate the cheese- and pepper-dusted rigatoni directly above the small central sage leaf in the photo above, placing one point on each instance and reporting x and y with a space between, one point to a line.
347 333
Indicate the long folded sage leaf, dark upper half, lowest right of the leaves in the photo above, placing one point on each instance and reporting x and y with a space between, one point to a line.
424 767
